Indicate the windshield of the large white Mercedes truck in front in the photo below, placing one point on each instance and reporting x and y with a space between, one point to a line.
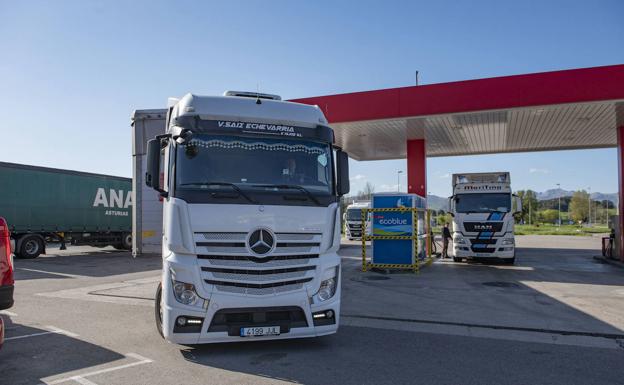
237 164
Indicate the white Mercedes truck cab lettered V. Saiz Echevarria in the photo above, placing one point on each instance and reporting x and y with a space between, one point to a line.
251 224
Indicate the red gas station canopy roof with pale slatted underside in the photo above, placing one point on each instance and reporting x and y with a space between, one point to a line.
570 109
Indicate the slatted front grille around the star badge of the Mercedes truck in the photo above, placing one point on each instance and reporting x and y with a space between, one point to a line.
225 262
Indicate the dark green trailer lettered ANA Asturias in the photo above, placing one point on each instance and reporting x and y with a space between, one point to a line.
44 204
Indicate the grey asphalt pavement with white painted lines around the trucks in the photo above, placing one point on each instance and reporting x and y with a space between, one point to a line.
85 316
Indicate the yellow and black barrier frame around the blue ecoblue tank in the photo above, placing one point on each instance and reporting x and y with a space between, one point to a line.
415 266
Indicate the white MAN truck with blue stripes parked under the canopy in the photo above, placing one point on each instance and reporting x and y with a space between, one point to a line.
483 208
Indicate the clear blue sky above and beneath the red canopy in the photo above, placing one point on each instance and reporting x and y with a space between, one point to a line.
73 71
